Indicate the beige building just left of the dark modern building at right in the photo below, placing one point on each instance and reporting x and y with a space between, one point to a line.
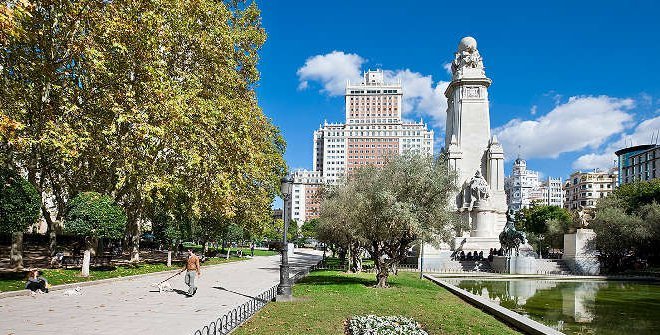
583 189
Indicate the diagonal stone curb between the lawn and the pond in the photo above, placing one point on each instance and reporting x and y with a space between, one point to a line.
514 319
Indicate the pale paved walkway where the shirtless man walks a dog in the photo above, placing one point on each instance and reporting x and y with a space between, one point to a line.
134 307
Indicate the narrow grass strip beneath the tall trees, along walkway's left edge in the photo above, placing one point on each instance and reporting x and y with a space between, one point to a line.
14 282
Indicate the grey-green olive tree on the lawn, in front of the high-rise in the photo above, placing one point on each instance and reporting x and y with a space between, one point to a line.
387 209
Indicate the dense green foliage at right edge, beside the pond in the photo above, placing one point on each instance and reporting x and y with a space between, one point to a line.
627 225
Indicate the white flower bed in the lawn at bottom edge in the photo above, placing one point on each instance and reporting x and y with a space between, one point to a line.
383 325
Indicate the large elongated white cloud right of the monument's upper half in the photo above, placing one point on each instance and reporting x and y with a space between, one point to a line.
582 122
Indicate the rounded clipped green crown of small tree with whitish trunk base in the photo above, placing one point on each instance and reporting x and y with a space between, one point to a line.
91 214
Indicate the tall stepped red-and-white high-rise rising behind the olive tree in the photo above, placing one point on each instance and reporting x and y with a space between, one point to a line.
374 129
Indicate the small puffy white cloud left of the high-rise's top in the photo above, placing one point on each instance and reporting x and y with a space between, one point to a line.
331 70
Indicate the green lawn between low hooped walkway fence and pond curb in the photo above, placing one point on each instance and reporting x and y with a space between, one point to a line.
325 299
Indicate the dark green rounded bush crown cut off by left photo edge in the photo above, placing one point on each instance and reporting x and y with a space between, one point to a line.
19 202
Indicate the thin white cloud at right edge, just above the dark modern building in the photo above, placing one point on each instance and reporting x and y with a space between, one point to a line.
645 133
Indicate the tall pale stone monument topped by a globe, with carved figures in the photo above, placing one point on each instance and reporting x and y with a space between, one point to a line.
477 158
